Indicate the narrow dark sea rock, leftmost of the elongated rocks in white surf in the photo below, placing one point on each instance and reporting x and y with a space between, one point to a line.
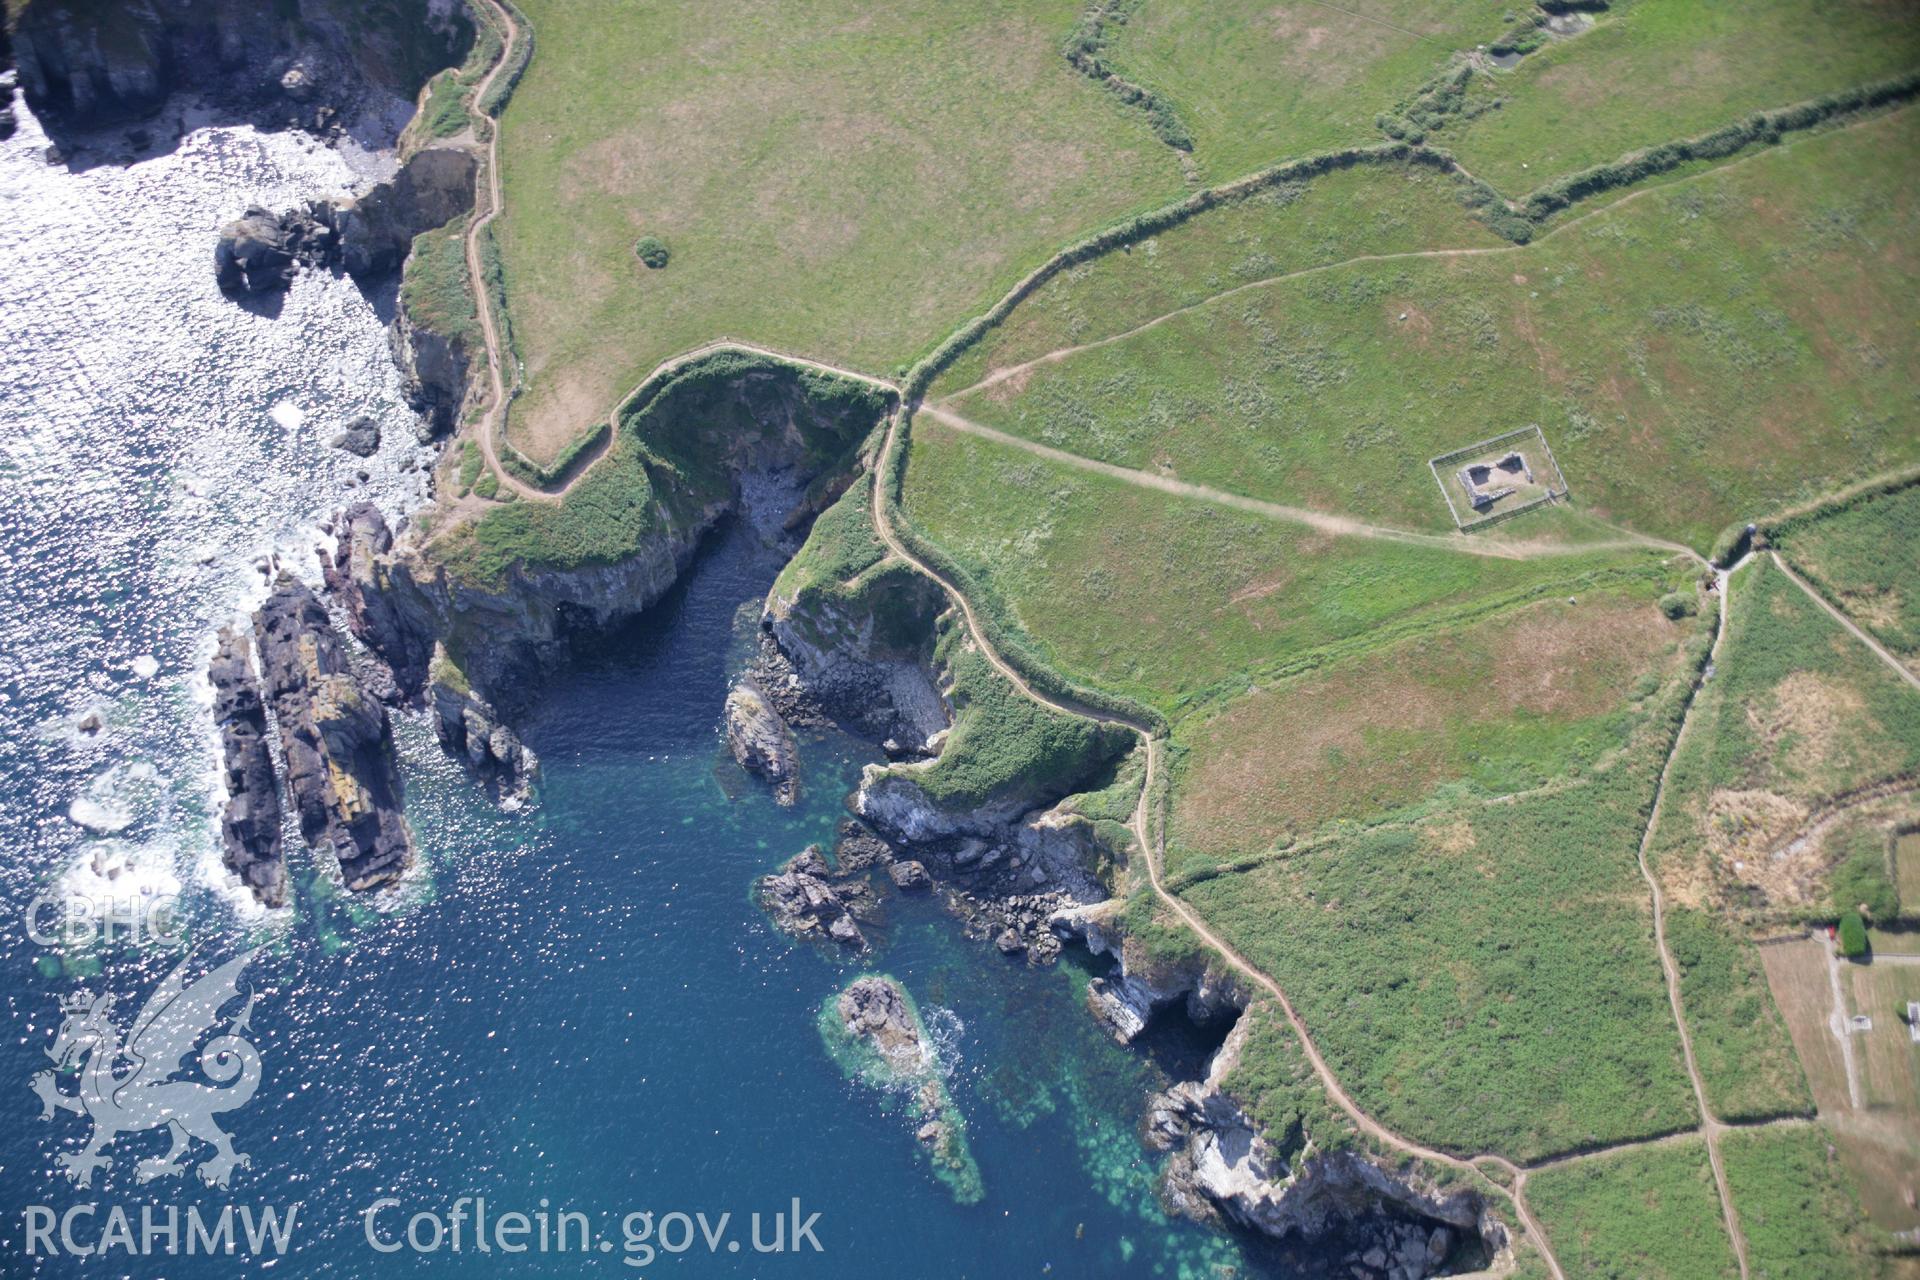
251 828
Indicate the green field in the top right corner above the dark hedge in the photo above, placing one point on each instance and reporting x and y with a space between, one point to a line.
1660 70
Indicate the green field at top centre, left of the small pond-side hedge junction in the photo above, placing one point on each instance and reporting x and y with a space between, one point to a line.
1259 82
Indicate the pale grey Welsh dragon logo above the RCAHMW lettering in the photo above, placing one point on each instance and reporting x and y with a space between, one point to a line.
128 1083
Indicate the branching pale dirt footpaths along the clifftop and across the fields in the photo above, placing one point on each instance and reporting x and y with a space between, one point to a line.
1147 828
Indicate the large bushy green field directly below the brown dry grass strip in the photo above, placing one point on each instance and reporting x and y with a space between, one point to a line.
1483 982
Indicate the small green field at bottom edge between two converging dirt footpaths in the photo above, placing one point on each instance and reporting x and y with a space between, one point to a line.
1650 1214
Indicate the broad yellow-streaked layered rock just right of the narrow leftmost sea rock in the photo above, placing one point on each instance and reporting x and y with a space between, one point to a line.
335 738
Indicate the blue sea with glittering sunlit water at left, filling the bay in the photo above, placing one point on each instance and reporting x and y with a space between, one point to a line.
567 1010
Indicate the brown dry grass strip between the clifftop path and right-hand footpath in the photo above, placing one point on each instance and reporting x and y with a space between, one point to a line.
1508 703
